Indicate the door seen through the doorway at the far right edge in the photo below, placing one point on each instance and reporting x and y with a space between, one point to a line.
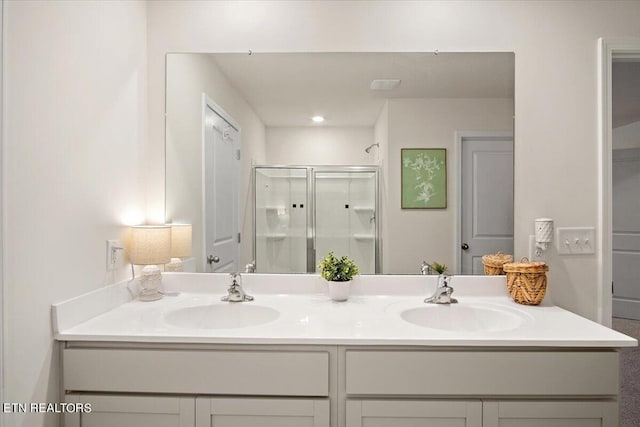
626 233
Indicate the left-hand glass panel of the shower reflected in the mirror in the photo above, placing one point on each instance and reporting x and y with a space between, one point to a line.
281 206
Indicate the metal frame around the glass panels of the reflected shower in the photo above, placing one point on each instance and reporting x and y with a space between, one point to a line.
311 203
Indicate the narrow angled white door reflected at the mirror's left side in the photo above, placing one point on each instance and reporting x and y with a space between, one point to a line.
221 176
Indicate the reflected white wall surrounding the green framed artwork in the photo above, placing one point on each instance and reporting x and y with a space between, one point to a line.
419 234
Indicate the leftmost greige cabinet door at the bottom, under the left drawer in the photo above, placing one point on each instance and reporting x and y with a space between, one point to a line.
132 411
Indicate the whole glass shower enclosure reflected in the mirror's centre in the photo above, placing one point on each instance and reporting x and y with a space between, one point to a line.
303 212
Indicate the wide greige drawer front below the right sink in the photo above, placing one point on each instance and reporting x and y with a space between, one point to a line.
487 373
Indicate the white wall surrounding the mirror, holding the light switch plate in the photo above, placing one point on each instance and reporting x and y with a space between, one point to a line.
555 85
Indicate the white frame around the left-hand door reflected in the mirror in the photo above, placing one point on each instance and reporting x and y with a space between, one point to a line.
209 103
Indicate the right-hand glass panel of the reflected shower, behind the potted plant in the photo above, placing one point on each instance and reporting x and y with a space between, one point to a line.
345 216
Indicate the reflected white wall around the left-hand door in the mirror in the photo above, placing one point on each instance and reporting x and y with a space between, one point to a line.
190 76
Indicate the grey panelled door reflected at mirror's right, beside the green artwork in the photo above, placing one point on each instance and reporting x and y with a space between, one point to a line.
486 177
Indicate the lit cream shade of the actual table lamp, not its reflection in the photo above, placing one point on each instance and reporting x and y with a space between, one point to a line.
150 244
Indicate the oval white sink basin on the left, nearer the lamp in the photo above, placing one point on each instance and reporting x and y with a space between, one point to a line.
221 316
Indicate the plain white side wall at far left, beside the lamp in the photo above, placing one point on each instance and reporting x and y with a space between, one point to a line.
75 132
